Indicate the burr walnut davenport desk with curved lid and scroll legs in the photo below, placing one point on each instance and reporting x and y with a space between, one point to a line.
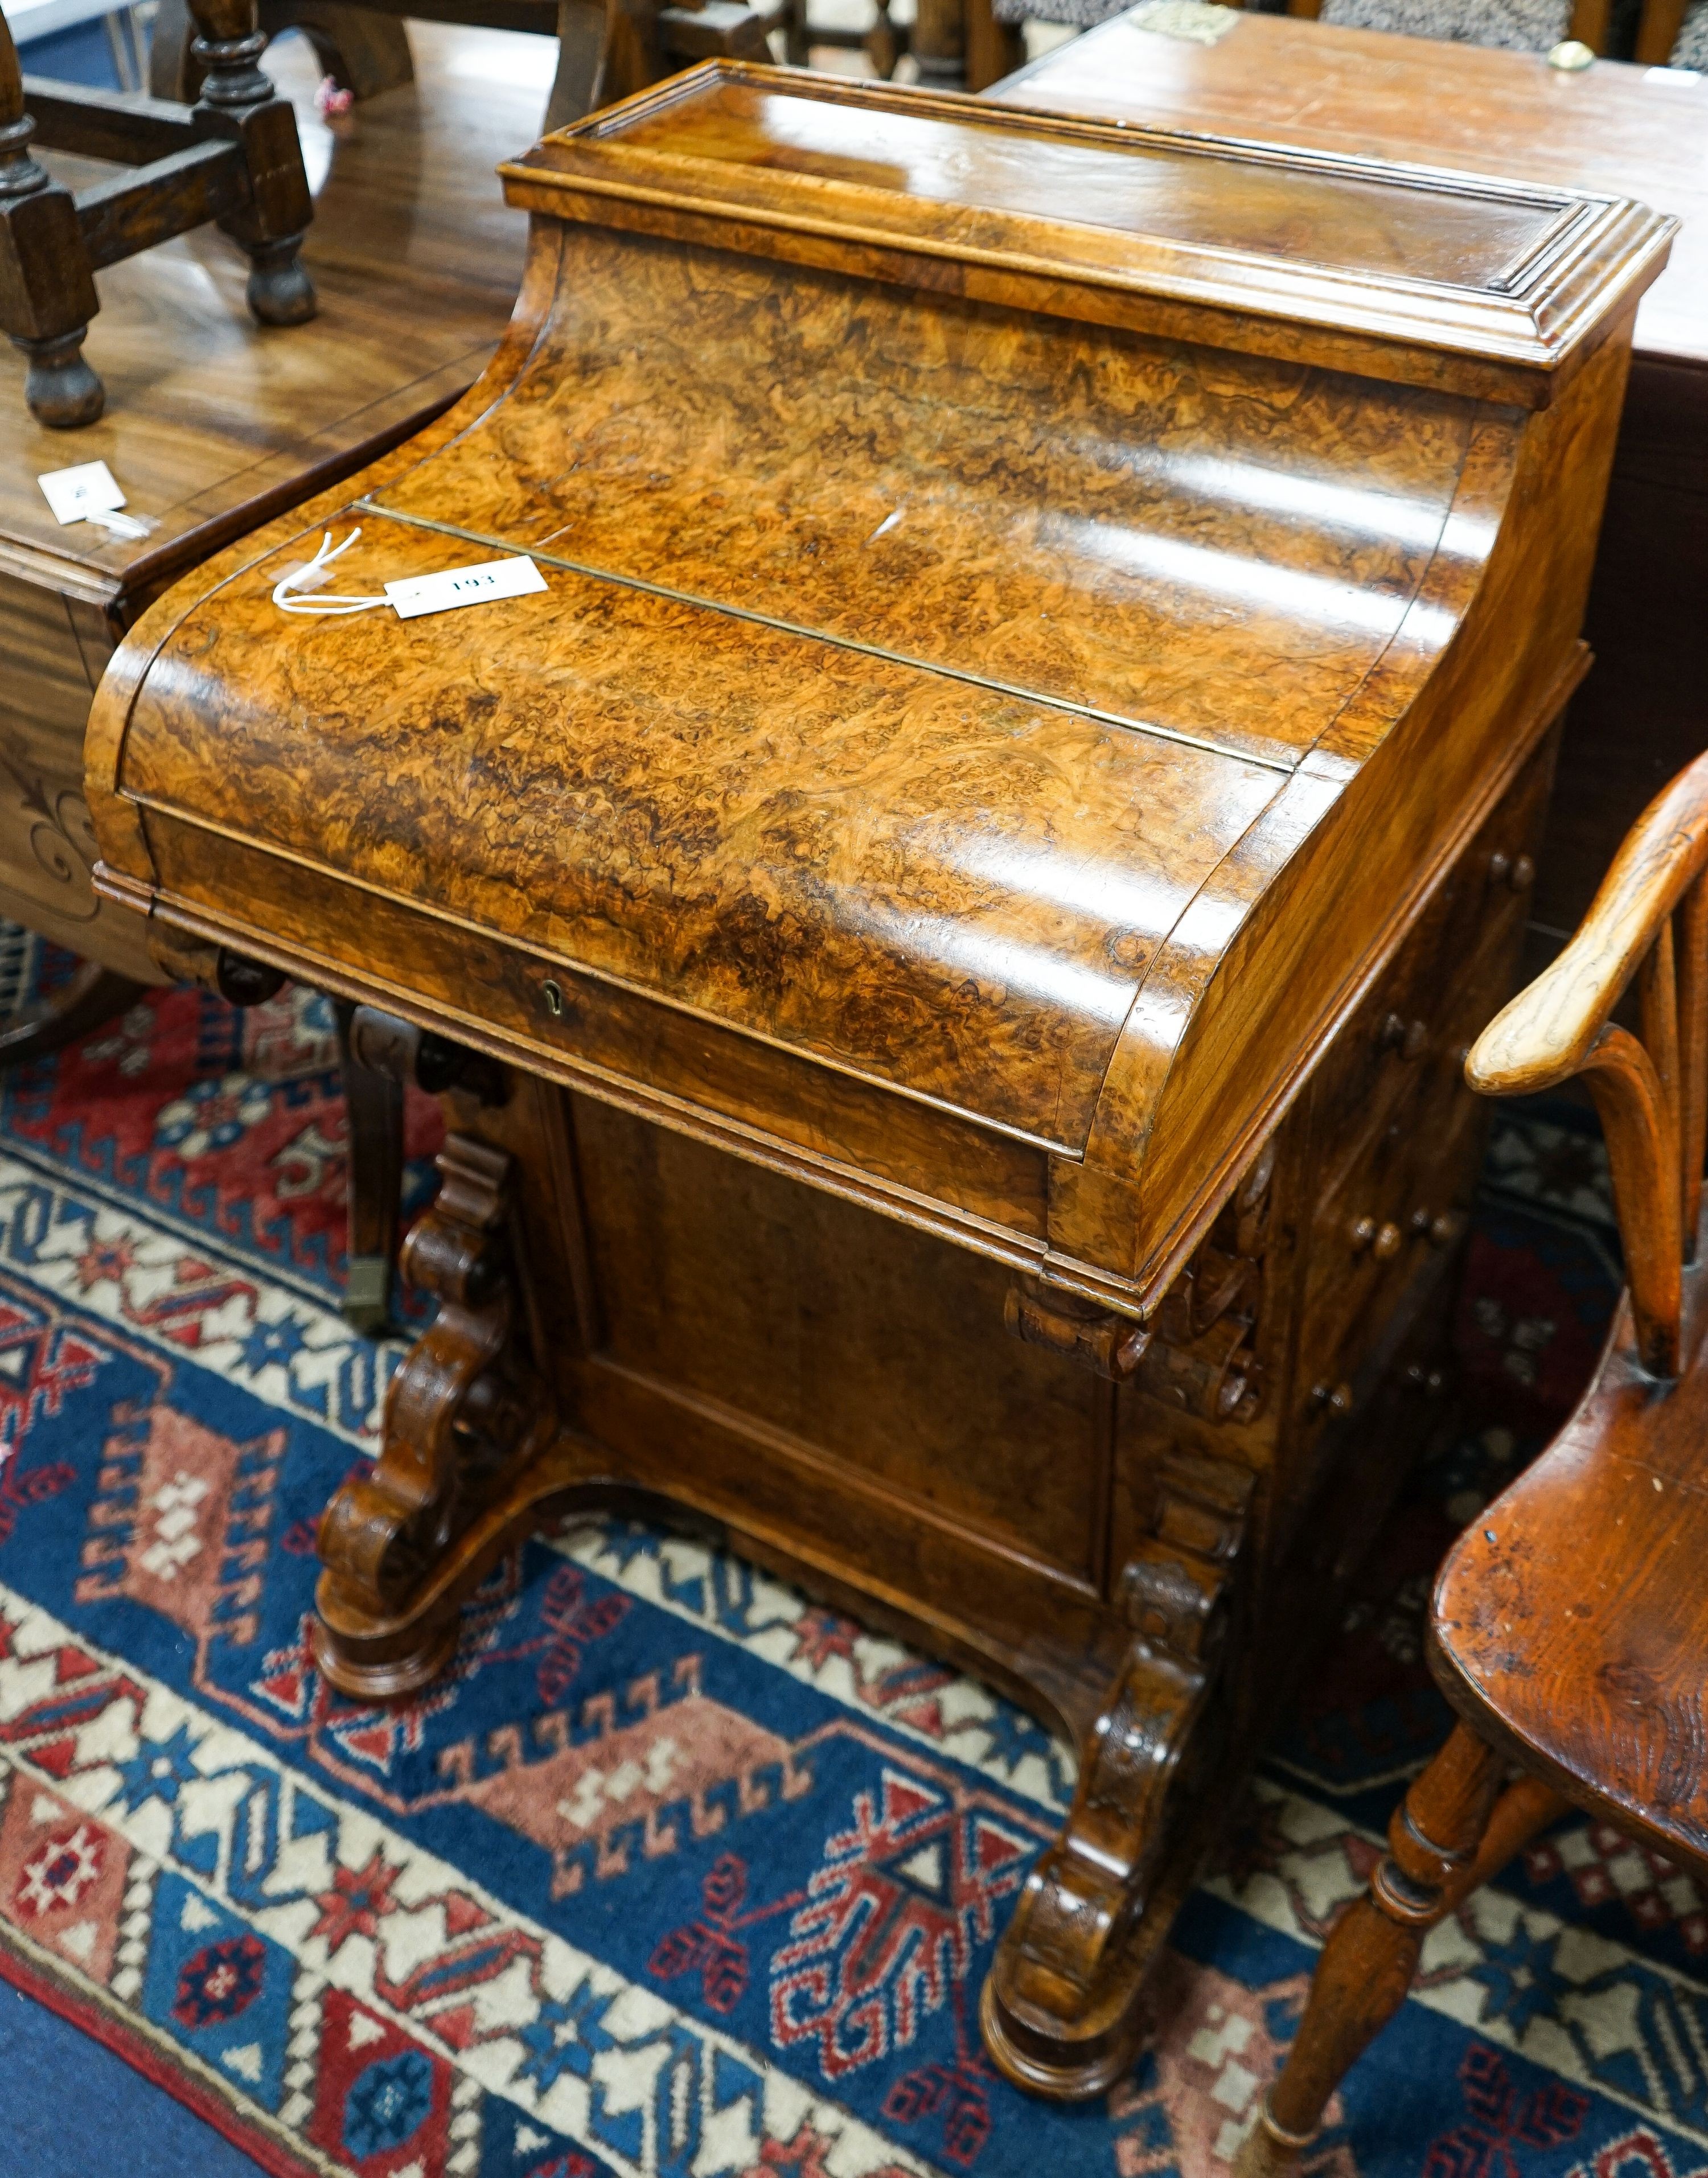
966 892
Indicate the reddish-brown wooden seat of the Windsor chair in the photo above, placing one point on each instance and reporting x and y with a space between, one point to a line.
1572 1617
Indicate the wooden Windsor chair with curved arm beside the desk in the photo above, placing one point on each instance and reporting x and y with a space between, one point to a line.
1570 1624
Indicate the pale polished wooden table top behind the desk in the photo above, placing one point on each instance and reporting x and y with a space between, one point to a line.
1633 132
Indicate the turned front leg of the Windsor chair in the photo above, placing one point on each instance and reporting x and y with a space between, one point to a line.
1448 1837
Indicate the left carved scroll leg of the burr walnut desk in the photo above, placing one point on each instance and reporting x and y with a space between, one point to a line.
467 1423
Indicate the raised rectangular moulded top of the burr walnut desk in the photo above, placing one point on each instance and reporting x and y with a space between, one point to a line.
1393 271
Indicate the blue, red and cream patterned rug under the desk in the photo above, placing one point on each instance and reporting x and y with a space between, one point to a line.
676 1874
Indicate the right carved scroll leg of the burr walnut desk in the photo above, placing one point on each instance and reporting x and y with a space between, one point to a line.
1058 2007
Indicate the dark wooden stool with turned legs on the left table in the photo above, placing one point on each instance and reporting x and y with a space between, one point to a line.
230 158
